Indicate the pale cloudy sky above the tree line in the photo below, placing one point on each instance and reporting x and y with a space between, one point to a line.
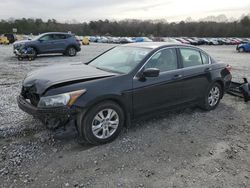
88 10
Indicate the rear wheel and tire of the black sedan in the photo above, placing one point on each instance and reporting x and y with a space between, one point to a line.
212 97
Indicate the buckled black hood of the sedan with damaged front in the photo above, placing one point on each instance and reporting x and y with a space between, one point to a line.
40 80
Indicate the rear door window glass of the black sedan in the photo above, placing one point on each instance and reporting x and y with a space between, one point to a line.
190 57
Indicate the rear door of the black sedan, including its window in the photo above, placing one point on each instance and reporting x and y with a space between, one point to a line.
196 73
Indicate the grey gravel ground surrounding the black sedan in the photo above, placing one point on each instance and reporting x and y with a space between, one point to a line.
187 148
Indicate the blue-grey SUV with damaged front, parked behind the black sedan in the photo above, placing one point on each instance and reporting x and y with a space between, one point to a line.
54 42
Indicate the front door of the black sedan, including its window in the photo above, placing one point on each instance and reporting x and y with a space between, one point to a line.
151 94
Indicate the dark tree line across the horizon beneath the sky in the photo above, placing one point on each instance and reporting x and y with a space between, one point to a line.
240 28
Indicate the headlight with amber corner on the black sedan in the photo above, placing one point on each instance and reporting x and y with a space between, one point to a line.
65 99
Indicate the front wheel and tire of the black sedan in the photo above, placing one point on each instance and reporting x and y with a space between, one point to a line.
95 126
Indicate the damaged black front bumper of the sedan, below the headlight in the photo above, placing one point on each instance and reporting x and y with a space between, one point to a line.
51 117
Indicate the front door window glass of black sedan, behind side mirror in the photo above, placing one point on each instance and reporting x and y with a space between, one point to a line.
164 60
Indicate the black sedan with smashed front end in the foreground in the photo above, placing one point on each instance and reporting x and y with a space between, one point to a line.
121 85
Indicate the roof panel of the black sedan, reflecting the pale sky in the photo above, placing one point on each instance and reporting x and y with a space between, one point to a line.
154 45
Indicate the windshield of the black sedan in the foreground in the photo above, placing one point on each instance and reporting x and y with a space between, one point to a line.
122 59
